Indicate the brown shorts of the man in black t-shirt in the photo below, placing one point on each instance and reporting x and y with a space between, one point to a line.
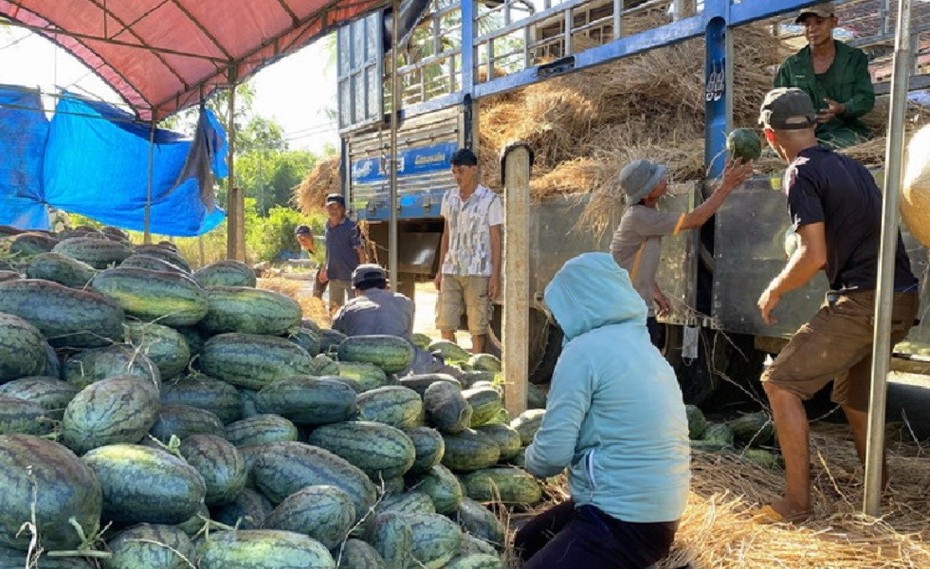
836 344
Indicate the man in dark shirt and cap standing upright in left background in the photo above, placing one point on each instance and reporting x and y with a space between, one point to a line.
344 251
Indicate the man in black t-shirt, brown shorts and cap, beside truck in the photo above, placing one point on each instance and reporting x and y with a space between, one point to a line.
836 209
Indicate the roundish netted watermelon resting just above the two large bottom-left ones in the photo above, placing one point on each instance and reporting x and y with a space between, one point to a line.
119 409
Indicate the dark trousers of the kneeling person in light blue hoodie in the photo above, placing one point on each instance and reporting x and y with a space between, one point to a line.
566 537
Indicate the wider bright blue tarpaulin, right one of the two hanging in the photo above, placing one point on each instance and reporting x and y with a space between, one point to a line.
96 162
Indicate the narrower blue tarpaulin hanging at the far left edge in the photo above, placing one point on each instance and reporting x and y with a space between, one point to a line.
23 132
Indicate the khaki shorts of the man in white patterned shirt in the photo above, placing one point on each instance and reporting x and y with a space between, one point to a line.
459 293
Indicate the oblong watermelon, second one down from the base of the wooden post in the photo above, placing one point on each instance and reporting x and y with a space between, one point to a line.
249 310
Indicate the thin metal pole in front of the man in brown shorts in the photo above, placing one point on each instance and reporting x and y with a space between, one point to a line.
881 343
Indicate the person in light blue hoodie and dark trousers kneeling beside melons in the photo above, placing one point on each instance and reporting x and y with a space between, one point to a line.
616 419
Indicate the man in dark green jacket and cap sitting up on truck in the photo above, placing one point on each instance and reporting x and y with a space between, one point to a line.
834 75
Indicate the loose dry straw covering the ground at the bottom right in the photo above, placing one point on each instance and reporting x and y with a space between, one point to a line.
718 530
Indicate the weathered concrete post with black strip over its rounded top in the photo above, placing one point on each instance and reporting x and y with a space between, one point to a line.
516 167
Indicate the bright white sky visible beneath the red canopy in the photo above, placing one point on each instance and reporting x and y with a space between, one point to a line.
294 91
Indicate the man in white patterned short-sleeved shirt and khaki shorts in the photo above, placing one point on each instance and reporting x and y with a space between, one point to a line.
469 253
